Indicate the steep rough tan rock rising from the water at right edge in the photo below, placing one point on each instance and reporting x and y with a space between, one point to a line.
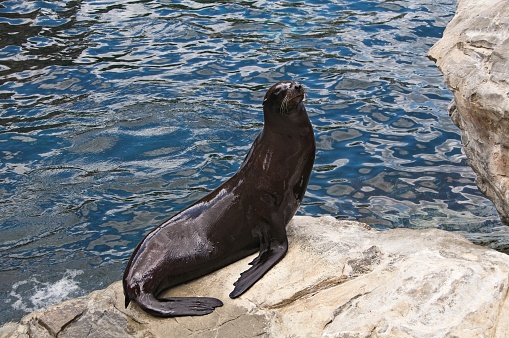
473 55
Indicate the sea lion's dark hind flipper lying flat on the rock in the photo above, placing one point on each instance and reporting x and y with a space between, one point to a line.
177 306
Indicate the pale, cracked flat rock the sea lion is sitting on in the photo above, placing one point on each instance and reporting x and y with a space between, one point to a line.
339 279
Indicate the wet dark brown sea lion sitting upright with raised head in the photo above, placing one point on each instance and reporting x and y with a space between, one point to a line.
247 213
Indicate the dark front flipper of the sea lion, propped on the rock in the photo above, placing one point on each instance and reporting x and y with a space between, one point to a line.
260 265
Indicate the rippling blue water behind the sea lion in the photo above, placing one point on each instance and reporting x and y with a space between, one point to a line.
116 114
